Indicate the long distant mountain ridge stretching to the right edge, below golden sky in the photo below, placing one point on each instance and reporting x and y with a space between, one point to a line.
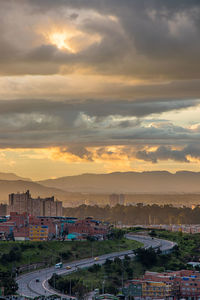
129 182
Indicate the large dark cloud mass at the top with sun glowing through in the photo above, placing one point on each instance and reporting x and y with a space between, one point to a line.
154 39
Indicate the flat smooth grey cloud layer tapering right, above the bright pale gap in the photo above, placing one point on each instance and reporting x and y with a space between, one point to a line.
97 108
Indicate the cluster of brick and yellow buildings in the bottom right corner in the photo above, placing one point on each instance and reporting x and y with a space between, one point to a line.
169 285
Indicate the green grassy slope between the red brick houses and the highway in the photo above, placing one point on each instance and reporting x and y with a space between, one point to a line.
17 254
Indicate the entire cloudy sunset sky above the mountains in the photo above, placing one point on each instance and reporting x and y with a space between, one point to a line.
90 86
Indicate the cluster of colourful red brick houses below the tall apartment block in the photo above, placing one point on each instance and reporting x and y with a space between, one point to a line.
41 228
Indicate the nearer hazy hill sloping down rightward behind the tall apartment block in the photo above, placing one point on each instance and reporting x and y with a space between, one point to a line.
7 187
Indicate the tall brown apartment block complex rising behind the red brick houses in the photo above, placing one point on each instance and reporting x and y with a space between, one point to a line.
23 202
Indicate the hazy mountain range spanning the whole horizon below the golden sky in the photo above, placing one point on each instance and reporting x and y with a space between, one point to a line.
72 188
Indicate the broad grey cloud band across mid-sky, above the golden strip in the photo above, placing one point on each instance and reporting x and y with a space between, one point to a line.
45 123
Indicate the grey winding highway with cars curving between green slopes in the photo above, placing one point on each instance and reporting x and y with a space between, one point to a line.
35 283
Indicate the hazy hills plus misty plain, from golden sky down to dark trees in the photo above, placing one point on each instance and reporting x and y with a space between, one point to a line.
95 188
